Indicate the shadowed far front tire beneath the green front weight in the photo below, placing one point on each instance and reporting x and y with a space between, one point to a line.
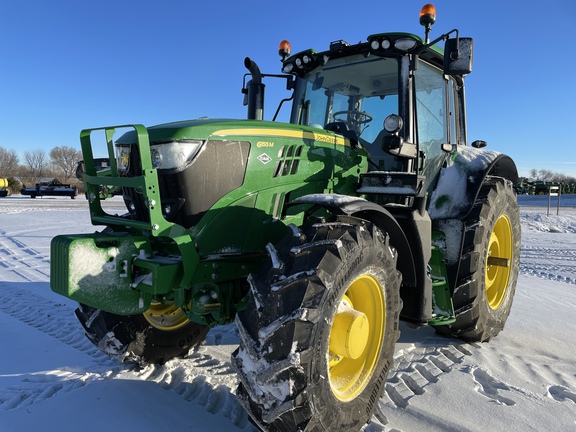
159 335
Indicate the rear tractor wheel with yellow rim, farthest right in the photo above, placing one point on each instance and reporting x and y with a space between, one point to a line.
486 285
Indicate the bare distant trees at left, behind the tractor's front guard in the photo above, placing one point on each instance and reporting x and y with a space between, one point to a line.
59 163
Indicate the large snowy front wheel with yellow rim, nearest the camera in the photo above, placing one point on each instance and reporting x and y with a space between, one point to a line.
318 335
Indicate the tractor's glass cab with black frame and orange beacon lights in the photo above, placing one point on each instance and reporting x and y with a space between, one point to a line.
398 96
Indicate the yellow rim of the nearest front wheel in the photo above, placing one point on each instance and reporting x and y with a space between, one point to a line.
356 337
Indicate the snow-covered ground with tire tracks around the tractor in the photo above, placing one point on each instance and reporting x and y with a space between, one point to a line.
52 378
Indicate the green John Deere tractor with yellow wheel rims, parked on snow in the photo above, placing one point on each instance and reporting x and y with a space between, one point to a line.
315 236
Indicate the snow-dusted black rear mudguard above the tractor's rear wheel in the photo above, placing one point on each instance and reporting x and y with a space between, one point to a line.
460 181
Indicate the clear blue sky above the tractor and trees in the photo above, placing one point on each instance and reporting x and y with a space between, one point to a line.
66 65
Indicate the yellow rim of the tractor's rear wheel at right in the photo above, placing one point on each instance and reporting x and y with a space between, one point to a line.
498 262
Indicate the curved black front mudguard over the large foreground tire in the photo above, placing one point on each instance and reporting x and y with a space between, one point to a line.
382 218
